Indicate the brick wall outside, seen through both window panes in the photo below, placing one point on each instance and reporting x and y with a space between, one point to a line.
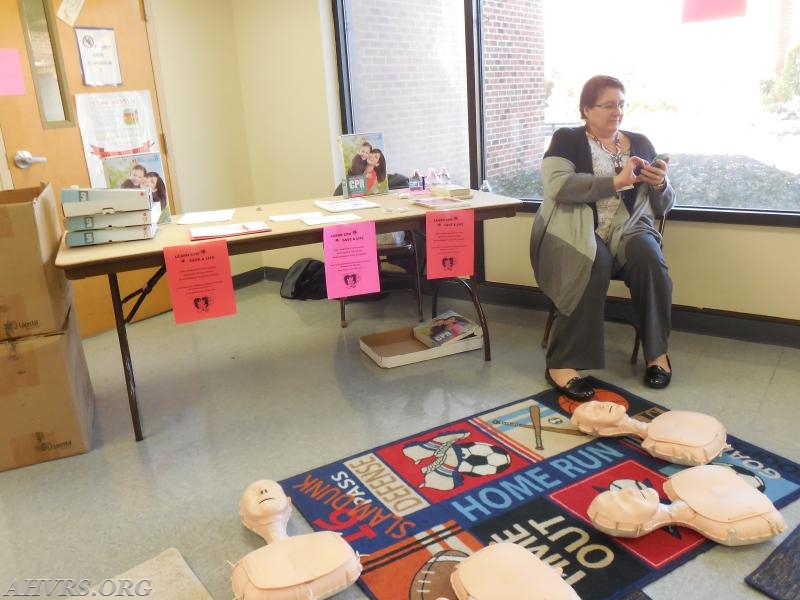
408 75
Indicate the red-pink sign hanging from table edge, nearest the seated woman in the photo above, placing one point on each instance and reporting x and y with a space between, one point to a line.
450 243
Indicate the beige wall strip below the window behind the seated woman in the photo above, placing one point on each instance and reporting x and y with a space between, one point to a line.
737 268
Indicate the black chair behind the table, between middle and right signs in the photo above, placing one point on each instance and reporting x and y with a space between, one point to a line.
400 260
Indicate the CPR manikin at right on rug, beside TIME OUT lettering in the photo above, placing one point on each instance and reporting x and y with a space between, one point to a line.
711 499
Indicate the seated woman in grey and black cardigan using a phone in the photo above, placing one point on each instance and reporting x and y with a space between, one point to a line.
602 188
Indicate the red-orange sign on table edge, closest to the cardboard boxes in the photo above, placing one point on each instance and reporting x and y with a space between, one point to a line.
200 282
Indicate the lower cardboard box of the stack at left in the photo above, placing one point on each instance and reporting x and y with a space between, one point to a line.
46 398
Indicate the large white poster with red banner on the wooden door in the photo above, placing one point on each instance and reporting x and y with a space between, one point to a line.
118 124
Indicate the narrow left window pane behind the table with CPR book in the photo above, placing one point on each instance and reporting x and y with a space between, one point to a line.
407 79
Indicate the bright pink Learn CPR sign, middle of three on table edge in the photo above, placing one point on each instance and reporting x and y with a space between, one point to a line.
351 259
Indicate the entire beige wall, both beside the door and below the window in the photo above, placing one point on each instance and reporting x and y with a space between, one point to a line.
250 98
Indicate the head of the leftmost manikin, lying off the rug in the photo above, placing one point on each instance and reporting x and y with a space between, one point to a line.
265 509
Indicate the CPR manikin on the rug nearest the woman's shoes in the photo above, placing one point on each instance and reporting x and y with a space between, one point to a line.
677 436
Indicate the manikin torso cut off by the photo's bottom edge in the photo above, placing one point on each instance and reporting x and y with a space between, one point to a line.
507 570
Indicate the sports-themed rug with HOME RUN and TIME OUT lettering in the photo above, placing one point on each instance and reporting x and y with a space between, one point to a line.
416 507
